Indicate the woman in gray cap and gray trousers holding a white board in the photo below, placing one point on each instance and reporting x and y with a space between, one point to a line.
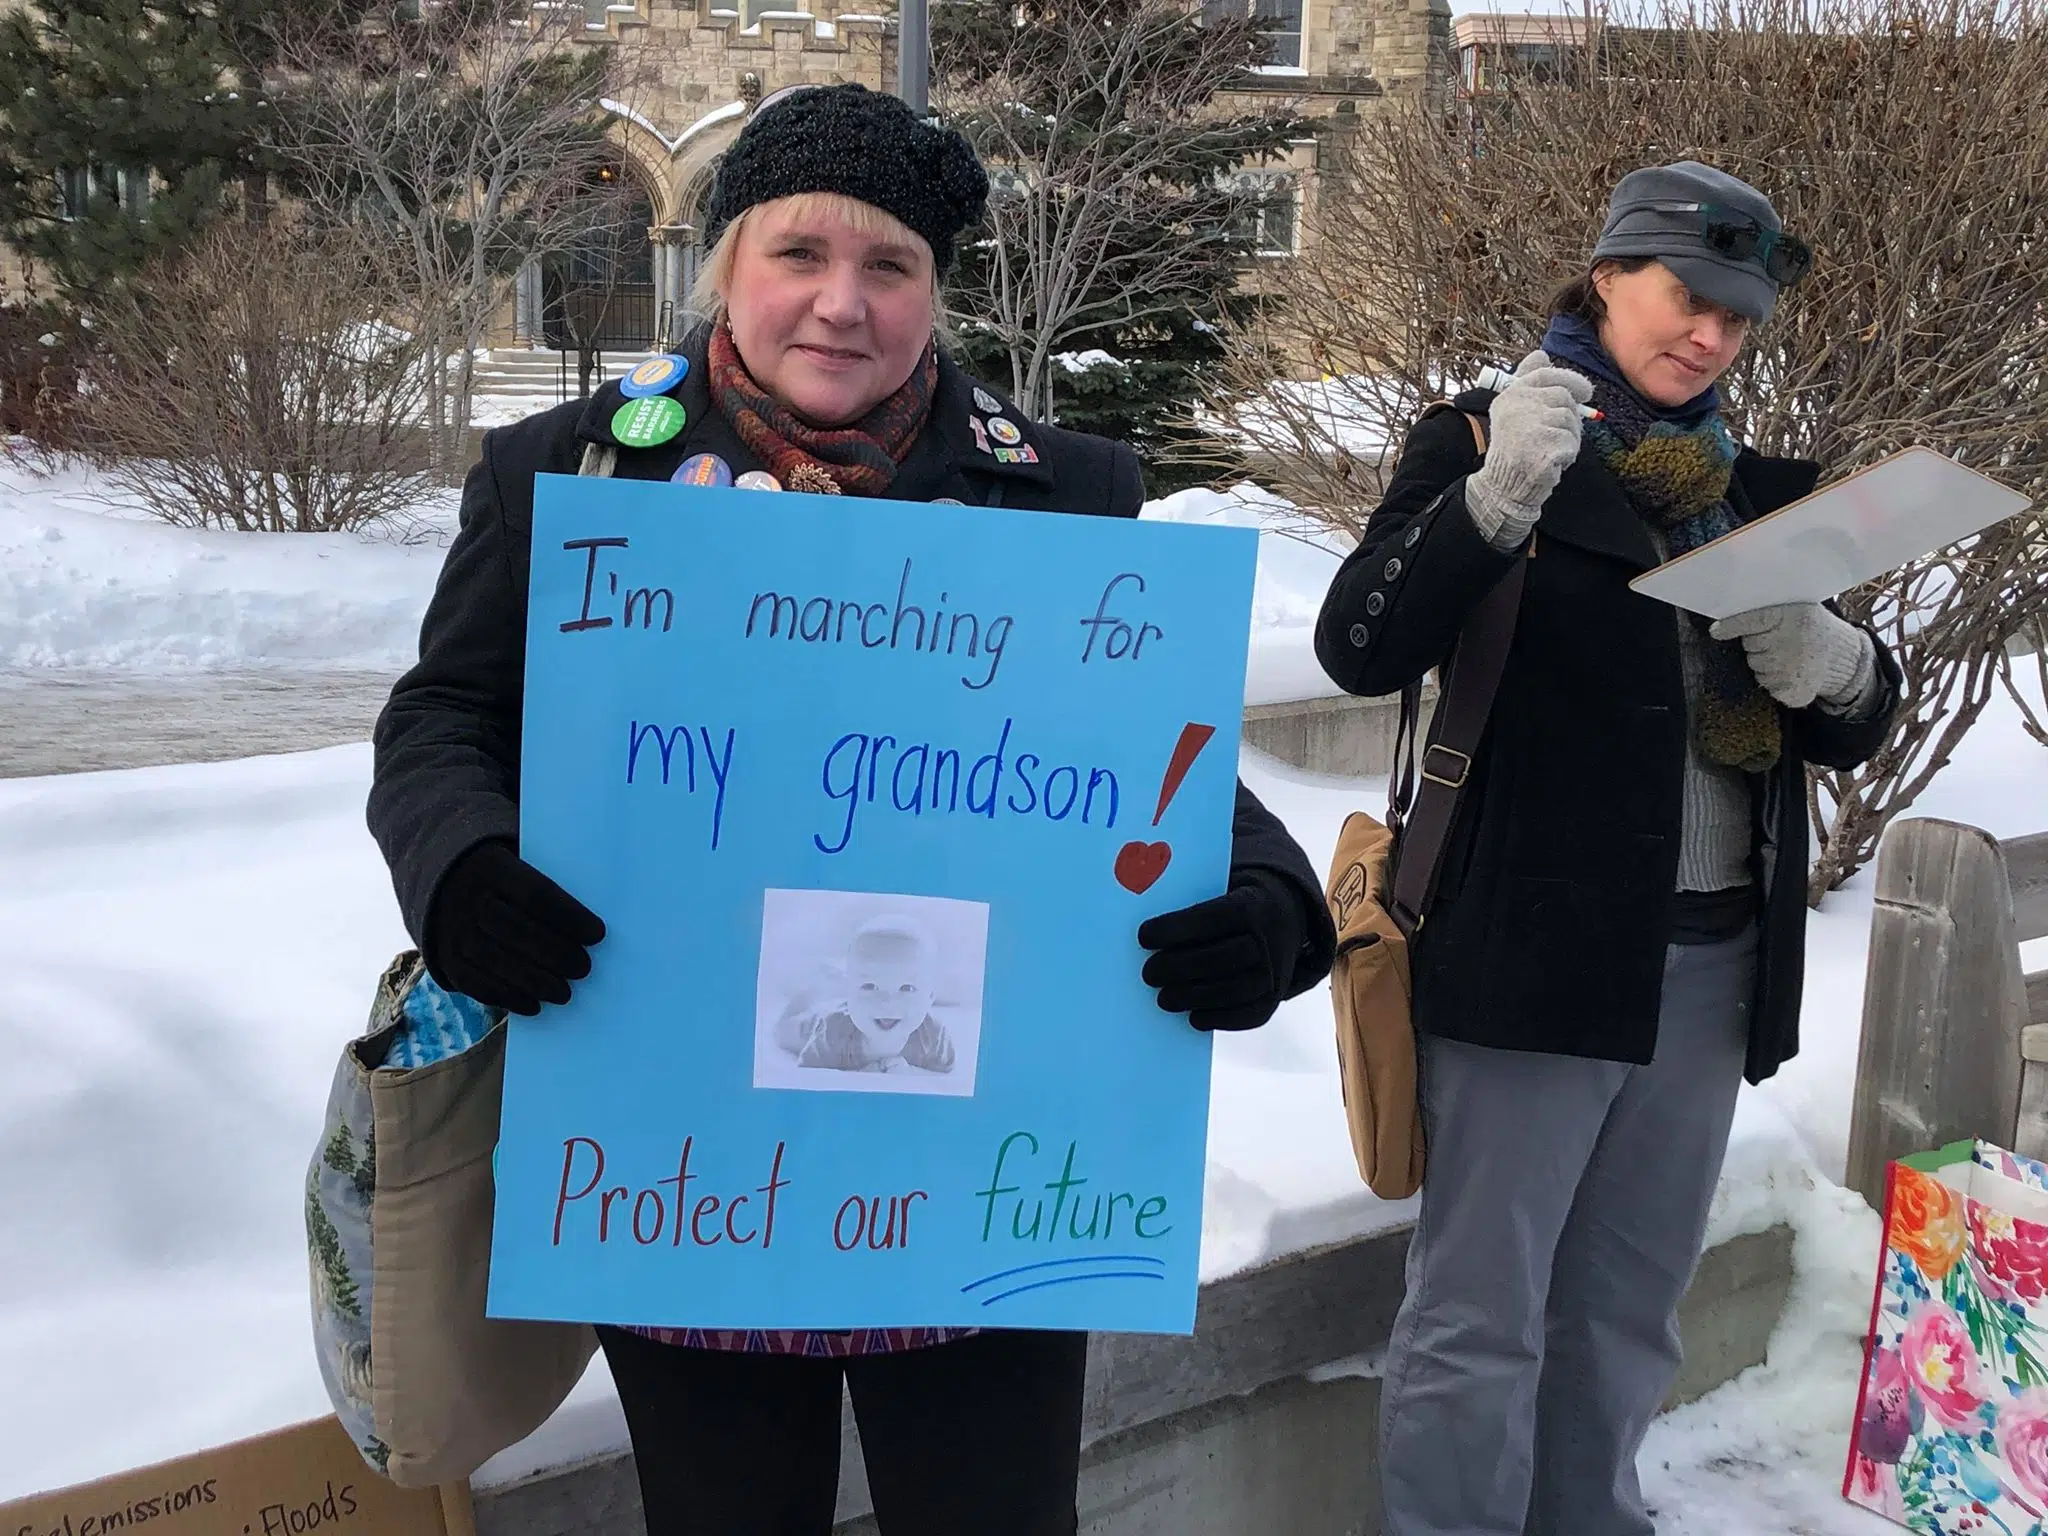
1617 931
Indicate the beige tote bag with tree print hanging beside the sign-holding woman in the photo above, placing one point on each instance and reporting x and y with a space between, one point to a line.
398 1215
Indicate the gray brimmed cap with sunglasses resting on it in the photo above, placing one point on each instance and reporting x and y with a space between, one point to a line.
1641 226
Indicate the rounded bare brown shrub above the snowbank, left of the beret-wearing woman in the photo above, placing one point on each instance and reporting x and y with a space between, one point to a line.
259 382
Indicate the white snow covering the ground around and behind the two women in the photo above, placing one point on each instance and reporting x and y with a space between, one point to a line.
185 949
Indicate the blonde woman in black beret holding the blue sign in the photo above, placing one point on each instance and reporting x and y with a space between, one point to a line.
833 224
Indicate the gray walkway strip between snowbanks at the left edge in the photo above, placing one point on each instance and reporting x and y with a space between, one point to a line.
79 722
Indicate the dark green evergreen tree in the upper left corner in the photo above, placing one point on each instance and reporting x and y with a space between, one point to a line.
126 128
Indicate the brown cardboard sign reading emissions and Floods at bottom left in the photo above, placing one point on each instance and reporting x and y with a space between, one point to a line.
286 1484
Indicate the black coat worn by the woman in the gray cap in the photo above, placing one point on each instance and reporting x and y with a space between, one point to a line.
1555 906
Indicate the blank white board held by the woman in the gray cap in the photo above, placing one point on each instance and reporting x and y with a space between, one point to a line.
1844 536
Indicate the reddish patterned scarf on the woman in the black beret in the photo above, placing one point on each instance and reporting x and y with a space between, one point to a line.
857 460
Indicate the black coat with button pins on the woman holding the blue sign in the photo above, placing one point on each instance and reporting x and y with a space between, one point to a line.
447 744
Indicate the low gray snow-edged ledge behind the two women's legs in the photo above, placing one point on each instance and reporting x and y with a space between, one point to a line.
1222 1433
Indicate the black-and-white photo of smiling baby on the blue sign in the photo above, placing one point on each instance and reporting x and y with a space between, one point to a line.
869 994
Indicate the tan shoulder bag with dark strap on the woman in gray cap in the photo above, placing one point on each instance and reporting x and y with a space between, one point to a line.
1381 882
